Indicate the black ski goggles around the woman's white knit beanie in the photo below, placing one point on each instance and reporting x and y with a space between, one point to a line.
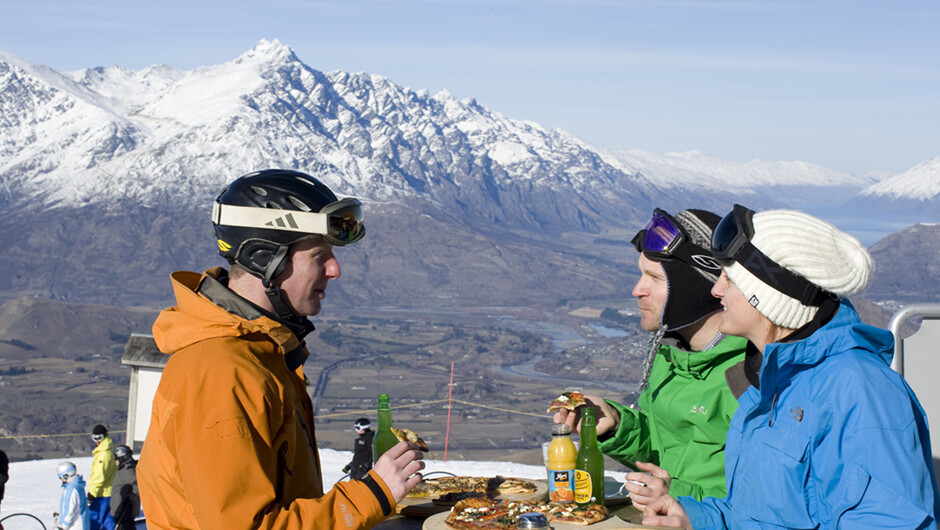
731 242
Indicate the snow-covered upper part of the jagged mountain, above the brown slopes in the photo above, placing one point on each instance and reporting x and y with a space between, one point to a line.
107 135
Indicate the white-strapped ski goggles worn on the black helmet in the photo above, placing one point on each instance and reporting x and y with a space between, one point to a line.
340 223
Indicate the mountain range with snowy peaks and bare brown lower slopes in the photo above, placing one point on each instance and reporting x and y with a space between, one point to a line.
107 166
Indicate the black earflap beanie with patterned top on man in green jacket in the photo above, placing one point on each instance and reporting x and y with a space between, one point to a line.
689 298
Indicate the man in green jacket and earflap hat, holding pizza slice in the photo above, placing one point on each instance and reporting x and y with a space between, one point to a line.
676 437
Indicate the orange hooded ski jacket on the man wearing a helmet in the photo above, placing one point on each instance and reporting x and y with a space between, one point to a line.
231 442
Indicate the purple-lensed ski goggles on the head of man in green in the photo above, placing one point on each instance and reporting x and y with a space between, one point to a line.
663 239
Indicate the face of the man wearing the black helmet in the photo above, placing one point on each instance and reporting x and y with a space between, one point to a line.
311 265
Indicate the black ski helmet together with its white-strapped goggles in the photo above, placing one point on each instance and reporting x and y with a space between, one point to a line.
260 243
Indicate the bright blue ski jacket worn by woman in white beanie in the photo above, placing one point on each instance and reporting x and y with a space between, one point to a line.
832 439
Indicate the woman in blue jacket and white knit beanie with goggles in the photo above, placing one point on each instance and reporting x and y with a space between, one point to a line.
826 434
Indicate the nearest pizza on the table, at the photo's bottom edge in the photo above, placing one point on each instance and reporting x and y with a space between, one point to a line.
489 514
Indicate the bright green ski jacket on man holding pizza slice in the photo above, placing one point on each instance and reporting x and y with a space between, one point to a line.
683 418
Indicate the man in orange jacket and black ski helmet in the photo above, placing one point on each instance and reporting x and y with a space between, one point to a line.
231 442
